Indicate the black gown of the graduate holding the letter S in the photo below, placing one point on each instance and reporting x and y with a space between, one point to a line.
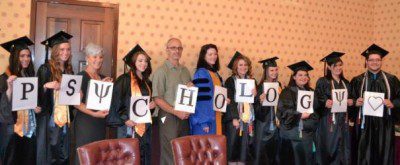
53 145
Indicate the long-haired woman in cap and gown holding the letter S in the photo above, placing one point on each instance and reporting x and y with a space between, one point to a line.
53 121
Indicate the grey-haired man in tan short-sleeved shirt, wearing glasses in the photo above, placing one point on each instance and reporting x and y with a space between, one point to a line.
165 81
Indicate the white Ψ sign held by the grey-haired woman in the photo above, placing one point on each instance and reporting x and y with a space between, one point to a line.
99 95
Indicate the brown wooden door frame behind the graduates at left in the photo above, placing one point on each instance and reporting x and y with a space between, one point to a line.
115 8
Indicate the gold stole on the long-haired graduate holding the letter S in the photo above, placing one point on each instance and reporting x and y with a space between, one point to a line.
61 112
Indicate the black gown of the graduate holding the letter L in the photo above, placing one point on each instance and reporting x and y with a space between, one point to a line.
237 146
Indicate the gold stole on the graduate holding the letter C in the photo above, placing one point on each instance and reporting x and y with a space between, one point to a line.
140 128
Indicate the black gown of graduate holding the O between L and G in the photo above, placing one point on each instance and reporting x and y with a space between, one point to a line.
267 133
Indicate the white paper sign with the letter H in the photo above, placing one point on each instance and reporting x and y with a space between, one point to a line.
186 98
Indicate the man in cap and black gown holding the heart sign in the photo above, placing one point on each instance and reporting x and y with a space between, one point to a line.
376 135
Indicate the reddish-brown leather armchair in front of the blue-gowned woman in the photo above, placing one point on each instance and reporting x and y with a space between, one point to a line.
200 149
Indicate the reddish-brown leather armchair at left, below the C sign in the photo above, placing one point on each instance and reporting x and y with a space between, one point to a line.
112 151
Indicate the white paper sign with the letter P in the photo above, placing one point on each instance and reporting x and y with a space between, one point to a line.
25 93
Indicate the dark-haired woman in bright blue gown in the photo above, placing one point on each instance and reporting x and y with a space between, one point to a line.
205 120
